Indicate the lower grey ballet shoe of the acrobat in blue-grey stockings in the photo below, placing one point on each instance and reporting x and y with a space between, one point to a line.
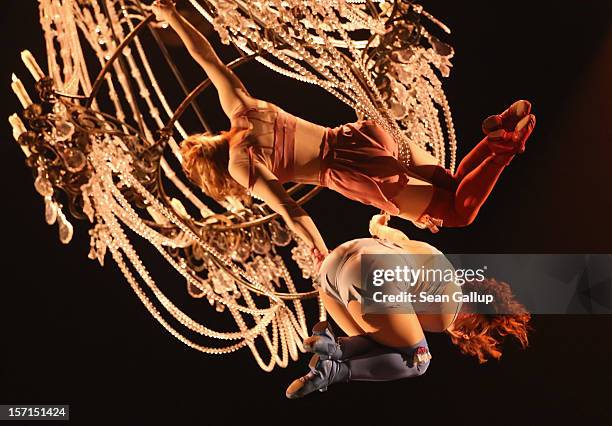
322 374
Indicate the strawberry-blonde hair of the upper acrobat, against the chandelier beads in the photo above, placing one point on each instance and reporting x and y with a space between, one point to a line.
205 162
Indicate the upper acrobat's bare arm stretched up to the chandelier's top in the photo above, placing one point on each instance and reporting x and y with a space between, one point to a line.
232 92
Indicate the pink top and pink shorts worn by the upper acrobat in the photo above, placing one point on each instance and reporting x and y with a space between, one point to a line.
358 160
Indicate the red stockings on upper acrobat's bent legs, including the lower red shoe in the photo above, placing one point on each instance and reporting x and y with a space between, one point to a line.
458 198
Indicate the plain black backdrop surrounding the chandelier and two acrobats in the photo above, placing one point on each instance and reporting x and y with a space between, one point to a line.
74 333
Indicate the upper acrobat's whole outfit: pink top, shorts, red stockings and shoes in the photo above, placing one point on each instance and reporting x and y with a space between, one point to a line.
359 160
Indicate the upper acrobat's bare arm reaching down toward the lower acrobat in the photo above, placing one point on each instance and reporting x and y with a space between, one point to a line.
267 187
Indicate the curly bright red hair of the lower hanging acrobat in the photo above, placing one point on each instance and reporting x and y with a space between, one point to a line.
481 334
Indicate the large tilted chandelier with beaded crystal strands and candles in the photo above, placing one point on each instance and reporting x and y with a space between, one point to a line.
100 140
